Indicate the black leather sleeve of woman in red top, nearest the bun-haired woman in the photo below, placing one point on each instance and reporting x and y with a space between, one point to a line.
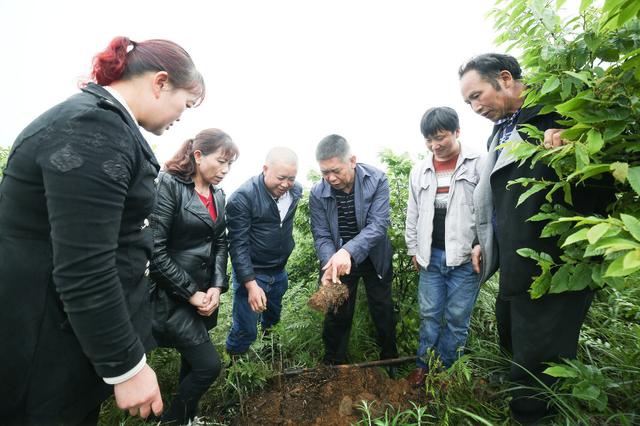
164 271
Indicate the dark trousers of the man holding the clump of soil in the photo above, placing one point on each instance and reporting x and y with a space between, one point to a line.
337 326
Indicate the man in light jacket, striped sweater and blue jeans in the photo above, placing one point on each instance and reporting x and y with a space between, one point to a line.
440 232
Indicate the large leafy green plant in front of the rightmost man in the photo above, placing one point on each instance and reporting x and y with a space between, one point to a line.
586 67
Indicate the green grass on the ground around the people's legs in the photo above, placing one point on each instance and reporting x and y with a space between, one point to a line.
477 391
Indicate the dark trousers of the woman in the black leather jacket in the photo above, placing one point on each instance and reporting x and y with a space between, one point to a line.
200 366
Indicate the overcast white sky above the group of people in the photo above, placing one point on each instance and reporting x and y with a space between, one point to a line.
278 72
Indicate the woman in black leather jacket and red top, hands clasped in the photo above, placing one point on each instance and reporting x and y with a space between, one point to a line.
189 262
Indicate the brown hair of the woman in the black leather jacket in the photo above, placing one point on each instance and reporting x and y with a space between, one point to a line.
207 141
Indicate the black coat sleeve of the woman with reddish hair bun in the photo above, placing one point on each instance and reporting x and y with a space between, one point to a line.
87 165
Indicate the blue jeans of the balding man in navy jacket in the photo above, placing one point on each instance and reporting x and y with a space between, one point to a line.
244 328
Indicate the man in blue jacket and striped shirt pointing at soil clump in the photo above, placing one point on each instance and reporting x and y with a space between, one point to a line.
349 221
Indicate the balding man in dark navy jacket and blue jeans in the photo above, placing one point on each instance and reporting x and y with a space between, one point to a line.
260 225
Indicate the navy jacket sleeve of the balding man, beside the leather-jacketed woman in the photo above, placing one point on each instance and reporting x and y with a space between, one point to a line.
239 225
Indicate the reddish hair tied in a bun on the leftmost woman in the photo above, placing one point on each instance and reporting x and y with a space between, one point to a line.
125 58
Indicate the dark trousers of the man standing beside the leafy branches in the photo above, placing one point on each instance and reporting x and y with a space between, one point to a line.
535 332
